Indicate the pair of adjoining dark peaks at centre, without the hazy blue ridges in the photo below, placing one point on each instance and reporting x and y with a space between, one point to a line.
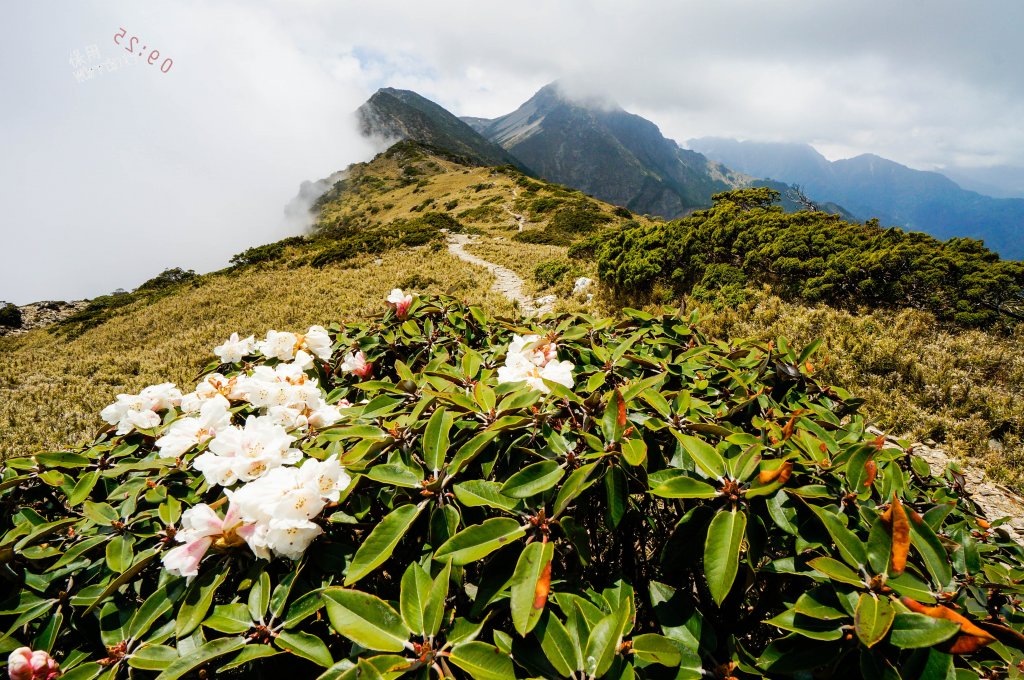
601 150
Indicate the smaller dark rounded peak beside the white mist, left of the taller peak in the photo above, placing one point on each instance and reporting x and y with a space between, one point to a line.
395 115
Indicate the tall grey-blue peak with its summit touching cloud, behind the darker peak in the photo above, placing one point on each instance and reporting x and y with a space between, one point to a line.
608 153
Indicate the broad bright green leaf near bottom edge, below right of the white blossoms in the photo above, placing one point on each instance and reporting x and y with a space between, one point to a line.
366 620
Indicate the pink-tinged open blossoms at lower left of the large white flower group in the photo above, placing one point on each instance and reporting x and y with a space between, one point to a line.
201 528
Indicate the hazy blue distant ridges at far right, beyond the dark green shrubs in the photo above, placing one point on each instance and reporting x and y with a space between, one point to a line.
873 187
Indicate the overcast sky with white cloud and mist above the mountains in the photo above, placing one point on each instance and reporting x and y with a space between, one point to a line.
105 182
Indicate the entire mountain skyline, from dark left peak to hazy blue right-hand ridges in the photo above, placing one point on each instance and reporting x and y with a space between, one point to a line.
624 159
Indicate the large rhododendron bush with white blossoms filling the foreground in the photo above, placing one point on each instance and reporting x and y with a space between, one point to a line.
436 493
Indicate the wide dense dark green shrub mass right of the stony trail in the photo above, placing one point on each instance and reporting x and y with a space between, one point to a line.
818 258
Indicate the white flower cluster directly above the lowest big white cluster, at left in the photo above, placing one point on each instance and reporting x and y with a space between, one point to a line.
244 454
